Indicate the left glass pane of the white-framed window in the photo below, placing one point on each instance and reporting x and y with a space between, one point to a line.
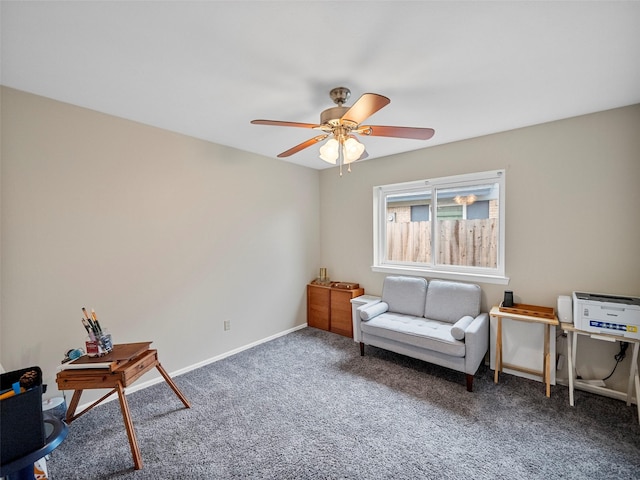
408 227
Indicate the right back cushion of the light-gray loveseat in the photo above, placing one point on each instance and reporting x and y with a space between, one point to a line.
450 301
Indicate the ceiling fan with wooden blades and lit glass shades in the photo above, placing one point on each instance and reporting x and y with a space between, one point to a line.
341 123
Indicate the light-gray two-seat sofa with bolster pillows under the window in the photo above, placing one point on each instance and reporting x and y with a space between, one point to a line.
437 321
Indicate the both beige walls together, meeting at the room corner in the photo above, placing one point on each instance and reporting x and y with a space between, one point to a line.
167 236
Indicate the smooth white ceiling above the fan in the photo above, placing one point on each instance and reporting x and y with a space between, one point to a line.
206 69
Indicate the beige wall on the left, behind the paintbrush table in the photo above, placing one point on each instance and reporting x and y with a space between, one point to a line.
165 236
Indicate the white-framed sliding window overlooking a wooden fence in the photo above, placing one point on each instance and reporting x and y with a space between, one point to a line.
449 227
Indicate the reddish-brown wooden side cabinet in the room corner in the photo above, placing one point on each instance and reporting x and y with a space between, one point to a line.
329 308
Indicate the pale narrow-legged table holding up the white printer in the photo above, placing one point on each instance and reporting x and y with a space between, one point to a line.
572 348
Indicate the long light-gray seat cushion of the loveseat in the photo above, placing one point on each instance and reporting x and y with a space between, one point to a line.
416 331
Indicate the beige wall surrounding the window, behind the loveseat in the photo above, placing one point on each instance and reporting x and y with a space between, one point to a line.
572 205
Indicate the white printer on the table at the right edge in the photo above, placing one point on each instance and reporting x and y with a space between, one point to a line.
600 313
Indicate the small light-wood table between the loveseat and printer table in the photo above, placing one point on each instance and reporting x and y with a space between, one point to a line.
546 361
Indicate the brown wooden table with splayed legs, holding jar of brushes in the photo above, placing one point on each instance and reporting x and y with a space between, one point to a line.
116 370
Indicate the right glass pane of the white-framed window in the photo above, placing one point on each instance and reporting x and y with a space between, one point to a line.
467 225
